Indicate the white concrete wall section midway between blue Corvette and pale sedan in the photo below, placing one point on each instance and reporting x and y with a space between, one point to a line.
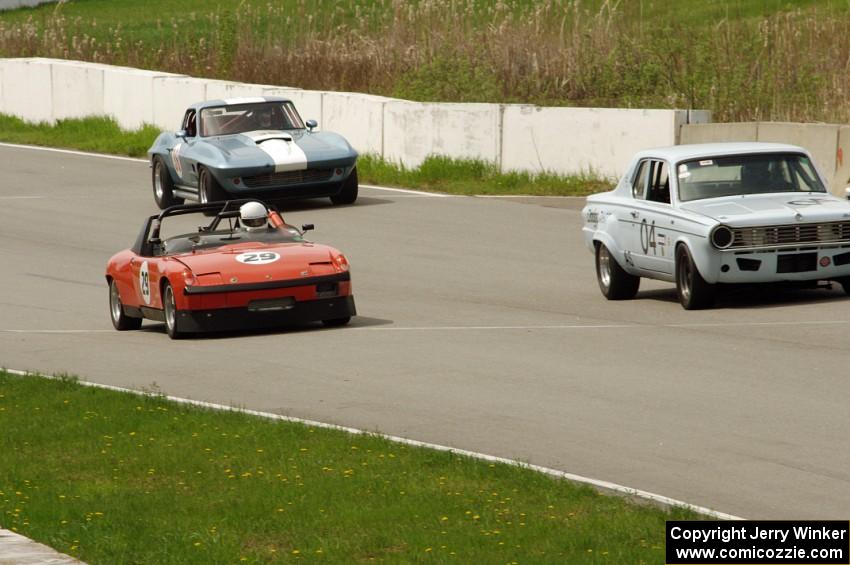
414 130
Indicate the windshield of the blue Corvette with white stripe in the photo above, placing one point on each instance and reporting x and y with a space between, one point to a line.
239 118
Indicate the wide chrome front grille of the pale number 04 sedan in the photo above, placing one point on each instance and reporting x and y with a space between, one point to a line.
791 235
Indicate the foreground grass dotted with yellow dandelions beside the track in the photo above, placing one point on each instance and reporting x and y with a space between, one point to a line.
112 477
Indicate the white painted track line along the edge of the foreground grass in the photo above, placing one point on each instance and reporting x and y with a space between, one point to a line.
605 485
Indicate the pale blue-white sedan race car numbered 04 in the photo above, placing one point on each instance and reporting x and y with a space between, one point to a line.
703 215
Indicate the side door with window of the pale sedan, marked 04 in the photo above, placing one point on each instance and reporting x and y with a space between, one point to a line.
653 220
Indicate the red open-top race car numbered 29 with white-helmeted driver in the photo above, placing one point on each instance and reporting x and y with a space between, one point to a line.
245 268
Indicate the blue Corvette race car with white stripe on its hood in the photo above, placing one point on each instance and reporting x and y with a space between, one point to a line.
250 148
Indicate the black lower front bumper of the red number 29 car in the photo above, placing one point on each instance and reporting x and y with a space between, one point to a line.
301 312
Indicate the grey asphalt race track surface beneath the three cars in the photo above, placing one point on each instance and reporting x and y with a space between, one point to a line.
481 327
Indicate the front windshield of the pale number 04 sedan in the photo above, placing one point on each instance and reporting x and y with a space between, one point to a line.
735 175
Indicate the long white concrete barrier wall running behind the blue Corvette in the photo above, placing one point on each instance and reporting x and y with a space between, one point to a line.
516 137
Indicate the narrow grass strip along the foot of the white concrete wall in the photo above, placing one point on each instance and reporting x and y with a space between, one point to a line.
442 174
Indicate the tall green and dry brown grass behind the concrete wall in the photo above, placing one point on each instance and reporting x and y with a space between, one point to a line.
788 66
